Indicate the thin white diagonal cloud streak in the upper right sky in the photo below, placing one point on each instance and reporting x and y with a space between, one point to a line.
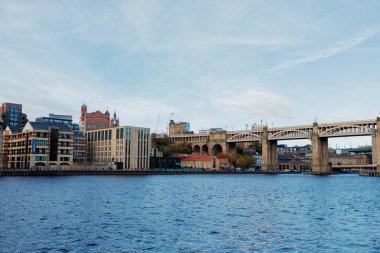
335 49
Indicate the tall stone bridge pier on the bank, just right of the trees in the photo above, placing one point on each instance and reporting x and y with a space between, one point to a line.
269 153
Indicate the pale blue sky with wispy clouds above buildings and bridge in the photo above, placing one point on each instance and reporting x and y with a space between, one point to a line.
213 63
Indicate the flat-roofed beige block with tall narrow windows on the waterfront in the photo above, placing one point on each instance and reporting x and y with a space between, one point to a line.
126 148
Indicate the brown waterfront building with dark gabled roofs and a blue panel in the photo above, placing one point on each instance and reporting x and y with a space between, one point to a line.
38 145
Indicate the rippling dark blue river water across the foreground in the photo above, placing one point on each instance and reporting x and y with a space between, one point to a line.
190 213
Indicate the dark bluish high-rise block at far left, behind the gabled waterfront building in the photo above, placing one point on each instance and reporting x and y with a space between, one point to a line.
12 116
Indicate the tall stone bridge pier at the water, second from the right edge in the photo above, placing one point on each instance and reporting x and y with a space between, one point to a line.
320 163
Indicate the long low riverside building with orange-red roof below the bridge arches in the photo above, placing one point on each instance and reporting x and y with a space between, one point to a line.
202 161
